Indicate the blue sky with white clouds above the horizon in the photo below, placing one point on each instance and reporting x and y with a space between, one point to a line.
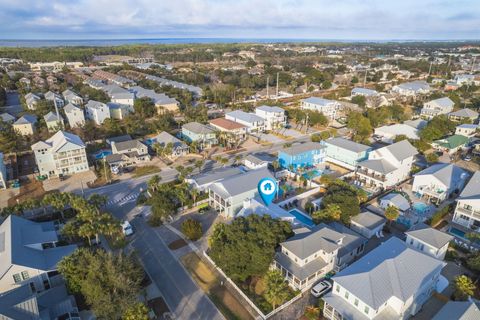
263 19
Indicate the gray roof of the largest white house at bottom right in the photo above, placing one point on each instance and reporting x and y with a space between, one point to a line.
392 269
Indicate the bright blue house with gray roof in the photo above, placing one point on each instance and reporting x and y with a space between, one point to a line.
302 155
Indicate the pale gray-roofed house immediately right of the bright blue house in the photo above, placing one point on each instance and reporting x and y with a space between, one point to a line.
345 153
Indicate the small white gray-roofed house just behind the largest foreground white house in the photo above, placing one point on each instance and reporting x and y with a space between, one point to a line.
428 240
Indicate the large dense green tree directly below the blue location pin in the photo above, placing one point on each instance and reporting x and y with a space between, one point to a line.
246 246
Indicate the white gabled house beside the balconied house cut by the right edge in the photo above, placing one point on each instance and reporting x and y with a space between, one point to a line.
439 181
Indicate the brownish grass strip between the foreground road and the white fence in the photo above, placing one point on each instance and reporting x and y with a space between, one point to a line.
207 279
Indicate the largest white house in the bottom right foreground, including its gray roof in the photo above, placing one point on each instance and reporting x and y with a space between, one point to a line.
392 281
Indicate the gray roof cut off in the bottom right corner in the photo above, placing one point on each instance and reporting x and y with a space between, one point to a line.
459 310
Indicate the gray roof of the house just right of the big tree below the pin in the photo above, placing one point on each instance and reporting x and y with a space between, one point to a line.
321 237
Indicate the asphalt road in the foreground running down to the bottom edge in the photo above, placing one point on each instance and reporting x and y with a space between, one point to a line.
181 294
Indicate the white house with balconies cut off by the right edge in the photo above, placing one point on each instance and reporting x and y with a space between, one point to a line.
467 211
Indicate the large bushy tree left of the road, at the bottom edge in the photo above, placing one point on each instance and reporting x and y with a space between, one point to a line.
109 282
